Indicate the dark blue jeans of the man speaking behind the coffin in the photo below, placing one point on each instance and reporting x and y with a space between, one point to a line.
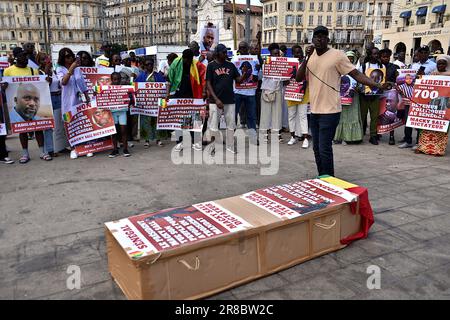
323 129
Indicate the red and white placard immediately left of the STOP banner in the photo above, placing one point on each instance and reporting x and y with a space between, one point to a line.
112 97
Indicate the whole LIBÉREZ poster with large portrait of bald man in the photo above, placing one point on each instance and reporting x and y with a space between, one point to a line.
29 104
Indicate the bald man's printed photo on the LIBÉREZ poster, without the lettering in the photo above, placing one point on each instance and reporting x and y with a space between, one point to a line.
27 104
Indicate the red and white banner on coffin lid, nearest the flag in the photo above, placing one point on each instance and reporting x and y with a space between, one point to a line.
289 201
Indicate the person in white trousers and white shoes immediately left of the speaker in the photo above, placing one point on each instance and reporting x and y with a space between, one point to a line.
297 111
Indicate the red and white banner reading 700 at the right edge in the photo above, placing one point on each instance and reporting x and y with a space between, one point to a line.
430 108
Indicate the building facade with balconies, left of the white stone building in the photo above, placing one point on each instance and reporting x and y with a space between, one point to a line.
139 23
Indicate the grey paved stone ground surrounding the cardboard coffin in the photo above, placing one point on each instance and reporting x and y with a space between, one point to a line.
52 215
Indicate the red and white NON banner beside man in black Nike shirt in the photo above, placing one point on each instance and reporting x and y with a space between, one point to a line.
177 114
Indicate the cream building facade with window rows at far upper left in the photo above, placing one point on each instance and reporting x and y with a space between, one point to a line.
69 22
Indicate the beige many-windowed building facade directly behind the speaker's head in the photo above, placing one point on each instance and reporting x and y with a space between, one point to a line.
289 22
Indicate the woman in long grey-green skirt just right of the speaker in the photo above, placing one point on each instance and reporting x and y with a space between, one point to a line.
350 124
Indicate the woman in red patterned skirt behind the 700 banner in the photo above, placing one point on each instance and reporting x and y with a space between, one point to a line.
434 142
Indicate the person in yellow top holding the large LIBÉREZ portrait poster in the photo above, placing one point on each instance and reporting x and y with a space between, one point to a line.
21 69
